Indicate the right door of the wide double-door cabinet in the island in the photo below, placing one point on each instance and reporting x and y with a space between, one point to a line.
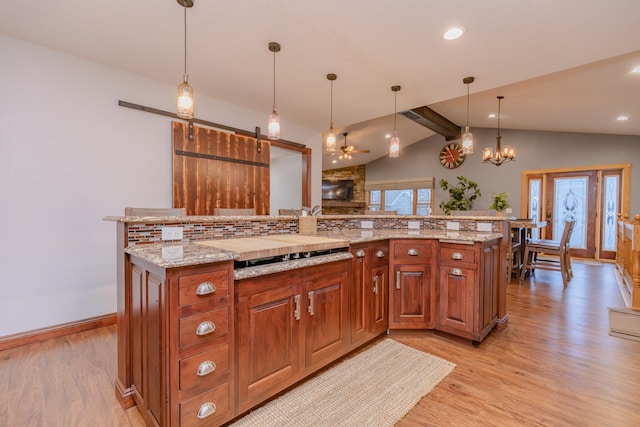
327 333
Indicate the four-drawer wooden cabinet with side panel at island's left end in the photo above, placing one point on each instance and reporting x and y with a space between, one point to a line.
181 342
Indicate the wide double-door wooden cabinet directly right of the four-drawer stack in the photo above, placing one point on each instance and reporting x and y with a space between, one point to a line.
289 324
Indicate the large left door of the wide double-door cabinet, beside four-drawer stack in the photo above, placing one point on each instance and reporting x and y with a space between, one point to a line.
269 340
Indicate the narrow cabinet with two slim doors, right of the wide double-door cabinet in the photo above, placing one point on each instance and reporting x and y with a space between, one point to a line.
369 291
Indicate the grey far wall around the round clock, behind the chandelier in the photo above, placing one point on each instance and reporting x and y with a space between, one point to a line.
535 150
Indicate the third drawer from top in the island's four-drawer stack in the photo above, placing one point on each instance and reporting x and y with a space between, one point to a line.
204 367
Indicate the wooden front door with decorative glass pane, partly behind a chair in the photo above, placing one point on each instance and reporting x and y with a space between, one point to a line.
571 196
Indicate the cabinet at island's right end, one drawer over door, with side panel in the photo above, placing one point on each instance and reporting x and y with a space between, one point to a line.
467 285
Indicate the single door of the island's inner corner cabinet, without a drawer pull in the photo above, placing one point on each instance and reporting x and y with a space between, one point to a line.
411 297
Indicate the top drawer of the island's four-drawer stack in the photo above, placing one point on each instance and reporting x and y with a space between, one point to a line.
201 287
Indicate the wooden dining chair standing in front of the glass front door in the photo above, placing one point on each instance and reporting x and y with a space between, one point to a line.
550 247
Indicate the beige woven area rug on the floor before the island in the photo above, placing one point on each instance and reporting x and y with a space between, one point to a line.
374 388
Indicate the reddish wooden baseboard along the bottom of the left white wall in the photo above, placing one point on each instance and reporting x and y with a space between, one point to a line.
37 335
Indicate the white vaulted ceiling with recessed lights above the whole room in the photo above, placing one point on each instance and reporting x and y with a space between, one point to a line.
561 65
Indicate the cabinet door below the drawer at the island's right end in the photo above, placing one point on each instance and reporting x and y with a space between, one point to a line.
456 300
